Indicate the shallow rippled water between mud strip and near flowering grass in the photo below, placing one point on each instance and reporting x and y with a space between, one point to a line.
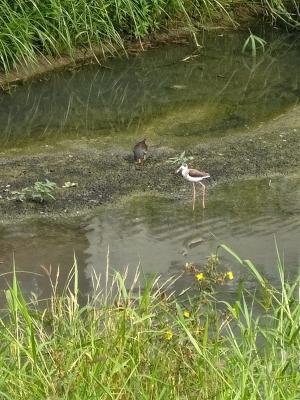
162 235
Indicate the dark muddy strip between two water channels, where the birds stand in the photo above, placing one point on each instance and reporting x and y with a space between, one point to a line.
104 175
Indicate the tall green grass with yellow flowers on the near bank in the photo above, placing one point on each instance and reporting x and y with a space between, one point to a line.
152 344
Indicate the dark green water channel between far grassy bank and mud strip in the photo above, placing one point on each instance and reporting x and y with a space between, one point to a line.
173 91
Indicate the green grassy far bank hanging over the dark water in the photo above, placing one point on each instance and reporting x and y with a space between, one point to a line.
59 27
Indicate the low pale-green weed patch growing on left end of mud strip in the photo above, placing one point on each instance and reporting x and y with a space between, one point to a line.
39 192
